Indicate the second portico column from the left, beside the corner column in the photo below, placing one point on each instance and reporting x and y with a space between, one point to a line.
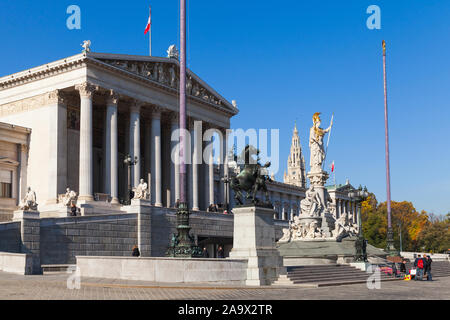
111 148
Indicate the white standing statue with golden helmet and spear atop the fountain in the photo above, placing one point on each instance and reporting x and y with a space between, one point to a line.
316 135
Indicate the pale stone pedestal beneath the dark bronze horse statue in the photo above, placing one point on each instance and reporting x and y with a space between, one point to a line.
254 239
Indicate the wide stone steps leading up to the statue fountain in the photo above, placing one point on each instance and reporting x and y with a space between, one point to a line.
326 275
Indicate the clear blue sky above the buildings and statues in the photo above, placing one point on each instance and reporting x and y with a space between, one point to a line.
282 61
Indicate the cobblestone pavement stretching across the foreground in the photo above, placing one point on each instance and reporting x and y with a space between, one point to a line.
54 287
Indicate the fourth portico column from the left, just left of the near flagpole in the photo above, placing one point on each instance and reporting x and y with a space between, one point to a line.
156 158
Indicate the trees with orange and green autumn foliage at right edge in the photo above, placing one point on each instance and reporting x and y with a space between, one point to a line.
419 231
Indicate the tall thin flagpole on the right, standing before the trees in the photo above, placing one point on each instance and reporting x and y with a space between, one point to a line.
390 239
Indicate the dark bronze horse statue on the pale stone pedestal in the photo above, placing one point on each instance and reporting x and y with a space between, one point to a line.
251 179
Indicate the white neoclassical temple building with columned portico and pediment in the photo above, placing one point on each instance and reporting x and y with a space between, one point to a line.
89 111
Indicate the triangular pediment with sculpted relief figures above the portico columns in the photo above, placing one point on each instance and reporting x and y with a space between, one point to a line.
164 72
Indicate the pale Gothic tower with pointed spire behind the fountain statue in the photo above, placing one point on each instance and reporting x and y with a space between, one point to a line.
296 163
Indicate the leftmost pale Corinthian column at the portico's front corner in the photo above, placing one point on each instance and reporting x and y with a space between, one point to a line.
86 191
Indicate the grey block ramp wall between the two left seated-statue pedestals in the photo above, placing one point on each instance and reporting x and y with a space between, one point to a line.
102 235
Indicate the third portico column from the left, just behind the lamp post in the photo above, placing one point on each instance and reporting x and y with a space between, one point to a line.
135 141
